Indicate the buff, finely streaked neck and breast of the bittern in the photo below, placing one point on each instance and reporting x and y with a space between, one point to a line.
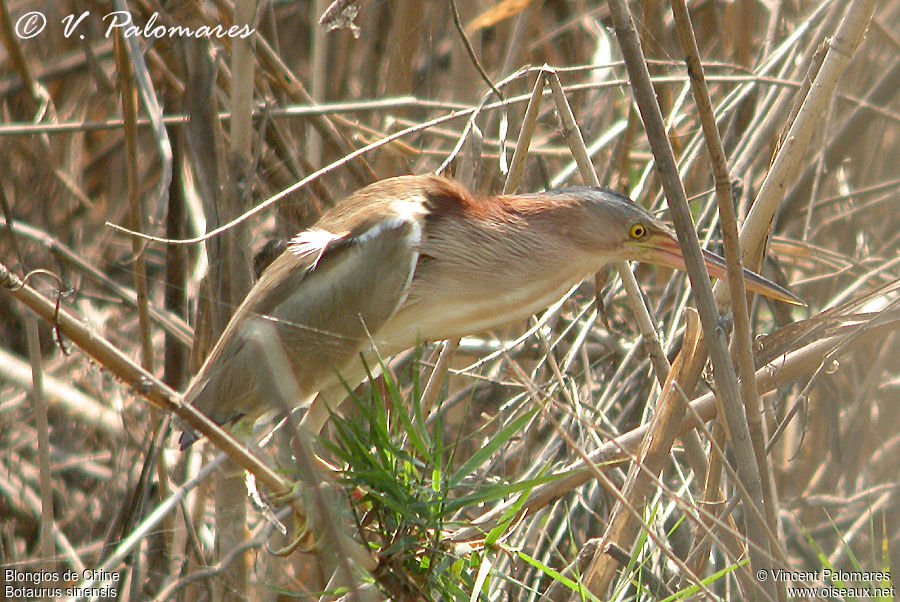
474 275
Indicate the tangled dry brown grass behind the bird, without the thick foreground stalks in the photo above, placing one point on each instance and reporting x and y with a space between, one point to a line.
67 172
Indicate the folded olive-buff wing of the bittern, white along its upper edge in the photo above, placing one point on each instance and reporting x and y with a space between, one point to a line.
323 297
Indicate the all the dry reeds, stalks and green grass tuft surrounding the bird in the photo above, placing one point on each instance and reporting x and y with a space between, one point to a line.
810 127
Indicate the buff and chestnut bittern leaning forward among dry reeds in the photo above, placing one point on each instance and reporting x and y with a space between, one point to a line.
413 259
